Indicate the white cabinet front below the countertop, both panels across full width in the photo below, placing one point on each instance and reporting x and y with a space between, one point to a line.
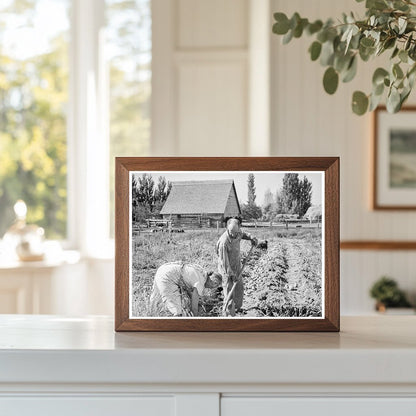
204 405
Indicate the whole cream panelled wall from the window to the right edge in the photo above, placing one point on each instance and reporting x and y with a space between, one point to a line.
212 89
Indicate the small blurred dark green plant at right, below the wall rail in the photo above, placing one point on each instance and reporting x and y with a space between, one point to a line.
387 294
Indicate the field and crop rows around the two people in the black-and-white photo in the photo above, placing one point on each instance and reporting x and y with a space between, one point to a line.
283 281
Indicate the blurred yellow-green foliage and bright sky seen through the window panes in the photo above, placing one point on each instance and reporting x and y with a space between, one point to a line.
34 74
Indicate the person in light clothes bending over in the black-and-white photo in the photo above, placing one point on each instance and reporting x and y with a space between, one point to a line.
176 283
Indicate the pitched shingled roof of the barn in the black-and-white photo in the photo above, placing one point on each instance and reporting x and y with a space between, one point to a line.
199 197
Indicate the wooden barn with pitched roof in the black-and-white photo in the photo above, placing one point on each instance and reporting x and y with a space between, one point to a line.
201 203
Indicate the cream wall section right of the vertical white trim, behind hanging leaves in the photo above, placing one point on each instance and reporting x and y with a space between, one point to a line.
308 122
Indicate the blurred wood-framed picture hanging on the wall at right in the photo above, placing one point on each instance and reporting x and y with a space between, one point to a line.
394 159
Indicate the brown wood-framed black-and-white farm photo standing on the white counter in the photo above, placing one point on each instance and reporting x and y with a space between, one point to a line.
227 244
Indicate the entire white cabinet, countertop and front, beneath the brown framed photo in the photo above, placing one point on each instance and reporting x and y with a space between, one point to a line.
80 366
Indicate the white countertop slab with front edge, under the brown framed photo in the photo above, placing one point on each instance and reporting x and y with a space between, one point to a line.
376 349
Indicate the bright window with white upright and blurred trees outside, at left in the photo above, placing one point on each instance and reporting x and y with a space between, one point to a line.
75 87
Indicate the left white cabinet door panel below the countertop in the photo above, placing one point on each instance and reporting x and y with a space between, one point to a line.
88 406
